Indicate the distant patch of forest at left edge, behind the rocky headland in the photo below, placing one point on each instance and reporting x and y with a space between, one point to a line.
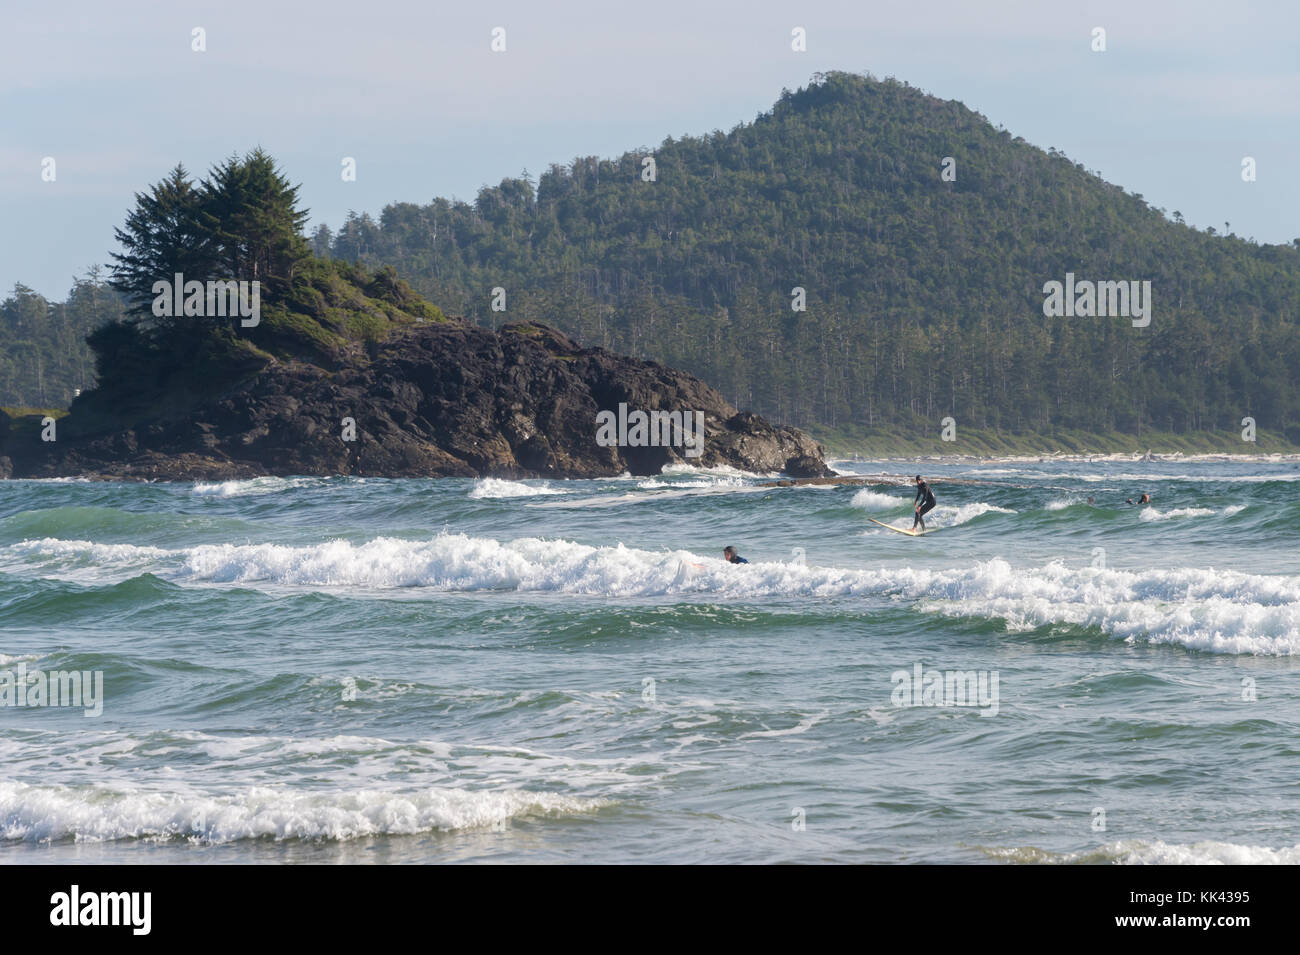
45 359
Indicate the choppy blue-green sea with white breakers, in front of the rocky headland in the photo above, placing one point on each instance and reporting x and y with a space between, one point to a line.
447 671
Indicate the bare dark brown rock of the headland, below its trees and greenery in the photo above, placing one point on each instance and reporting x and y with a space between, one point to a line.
444 400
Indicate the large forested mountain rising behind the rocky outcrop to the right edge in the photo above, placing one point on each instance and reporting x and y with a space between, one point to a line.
925 297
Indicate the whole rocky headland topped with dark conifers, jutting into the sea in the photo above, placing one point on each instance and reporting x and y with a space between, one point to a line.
242 355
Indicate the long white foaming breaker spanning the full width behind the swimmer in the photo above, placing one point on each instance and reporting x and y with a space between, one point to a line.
1216 611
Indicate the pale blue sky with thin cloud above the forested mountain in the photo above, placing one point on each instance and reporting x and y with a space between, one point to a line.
116 95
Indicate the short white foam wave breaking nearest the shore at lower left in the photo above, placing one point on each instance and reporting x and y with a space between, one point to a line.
49 814
